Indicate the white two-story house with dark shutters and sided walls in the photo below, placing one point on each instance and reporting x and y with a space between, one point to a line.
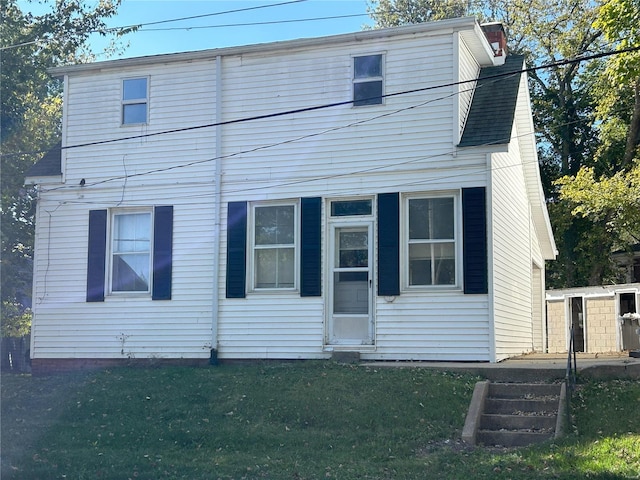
376 192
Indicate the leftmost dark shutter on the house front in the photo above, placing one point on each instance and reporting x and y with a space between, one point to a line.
96 255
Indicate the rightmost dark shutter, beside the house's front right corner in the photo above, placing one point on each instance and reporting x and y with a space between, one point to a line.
474 219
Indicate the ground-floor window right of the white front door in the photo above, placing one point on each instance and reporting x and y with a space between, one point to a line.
432 245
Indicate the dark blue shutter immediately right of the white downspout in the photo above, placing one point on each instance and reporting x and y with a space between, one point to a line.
236 249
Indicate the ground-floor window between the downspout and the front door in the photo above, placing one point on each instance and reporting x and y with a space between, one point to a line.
274 240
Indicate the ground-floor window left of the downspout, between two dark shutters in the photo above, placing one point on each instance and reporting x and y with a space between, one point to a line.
131 252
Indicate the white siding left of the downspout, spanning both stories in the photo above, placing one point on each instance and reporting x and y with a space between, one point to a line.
118 176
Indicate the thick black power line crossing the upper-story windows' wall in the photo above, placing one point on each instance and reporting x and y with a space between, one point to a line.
556 64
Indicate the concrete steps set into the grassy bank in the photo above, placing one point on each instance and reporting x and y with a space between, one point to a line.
515 414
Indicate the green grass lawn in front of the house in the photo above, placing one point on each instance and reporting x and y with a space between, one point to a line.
304 420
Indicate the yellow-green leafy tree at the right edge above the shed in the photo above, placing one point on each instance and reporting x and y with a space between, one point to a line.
605 198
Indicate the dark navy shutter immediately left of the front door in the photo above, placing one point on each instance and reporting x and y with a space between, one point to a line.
311 247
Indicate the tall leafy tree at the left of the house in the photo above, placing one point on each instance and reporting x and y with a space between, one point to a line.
30 114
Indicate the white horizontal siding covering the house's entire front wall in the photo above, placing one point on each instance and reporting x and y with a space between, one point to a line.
336 152
